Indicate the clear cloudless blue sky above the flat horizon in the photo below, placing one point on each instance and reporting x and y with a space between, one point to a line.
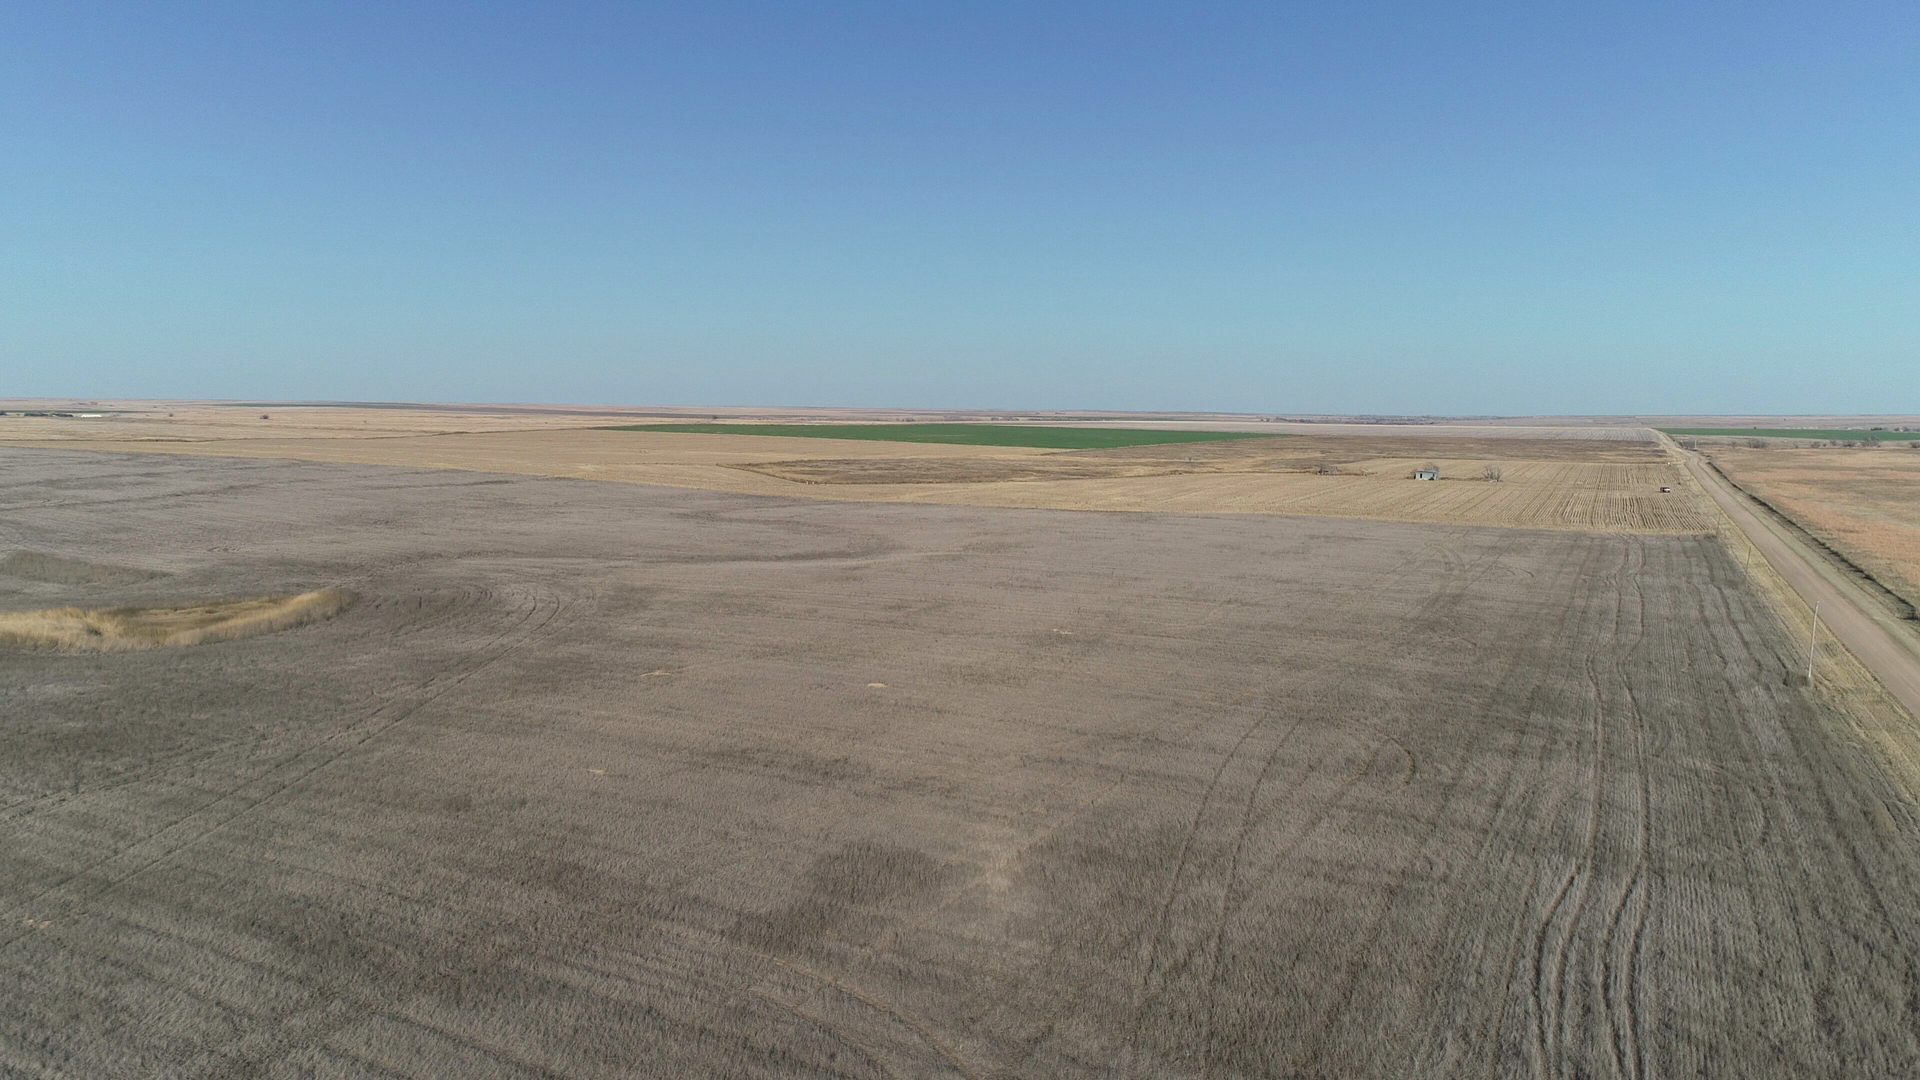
1439 209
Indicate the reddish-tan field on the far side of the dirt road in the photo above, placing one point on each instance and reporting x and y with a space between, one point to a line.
1863 503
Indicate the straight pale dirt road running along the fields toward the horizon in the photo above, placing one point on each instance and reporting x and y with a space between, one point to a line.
1881 643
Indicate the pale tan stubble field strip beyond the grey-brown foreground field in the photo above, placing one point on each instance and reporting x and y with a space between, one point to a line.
1570 478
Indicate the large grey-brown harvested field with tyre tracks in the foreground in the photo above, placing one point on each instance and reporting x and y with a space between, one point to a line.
612 779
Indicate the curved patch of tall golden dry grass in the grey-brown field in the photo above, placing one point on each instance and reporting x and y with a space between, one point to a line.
107 629
